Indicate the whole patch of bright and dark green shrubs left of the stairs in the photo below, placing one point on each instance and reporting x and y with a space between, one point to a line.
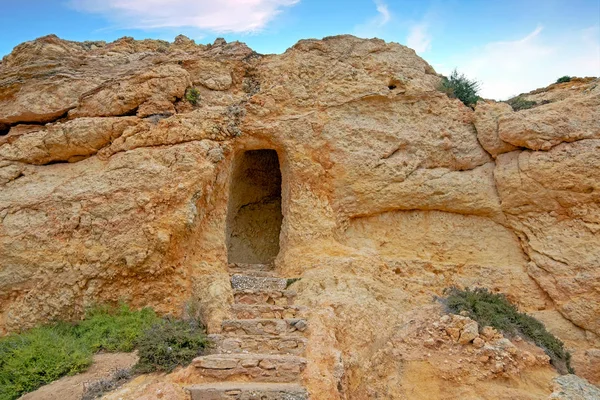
41 355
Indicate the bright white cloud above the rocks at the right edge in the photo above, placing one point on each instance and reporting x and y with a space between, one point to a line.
508 68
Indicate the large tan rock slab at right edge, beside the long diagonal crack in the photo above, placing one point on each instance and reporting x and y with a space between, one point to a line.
552 201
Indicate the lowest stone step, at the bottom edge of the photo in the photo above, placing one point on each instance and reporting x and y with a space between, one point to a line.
247 391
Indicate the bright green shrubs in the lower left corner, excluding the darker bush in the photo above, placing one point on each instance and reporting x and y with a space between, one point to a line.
41 355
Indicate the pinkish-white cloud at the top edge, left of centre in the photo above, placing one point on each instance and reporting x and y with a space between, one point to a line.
219 16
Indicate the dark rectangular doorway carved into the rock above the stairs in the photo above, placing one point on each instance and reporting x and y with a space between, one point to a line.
254 212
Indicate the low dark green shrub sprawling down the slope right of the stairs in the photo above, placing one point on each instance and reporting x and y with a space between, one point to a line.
490 309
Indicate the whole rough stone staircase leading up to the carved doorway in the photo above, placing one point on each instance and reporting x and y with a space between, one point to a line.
259 354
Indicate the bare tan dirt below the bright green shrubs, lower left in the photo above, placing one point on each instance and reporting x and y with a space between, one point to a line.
71 387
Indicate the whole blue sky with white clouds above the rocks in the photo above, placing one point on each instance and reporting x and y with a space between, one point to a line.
510 46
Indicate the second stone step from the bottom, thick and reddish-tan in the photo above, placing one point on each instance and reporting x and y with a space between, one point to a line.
255 367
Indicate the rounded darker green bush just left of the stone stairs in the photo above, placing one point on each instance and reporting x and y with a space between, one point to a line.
170 343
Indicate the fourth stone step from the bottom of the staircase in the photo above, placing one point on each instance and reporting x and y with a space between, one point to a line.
272 326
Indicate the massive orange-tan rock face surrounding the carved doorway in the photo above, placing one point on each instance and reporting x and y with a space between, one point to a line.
115 186
